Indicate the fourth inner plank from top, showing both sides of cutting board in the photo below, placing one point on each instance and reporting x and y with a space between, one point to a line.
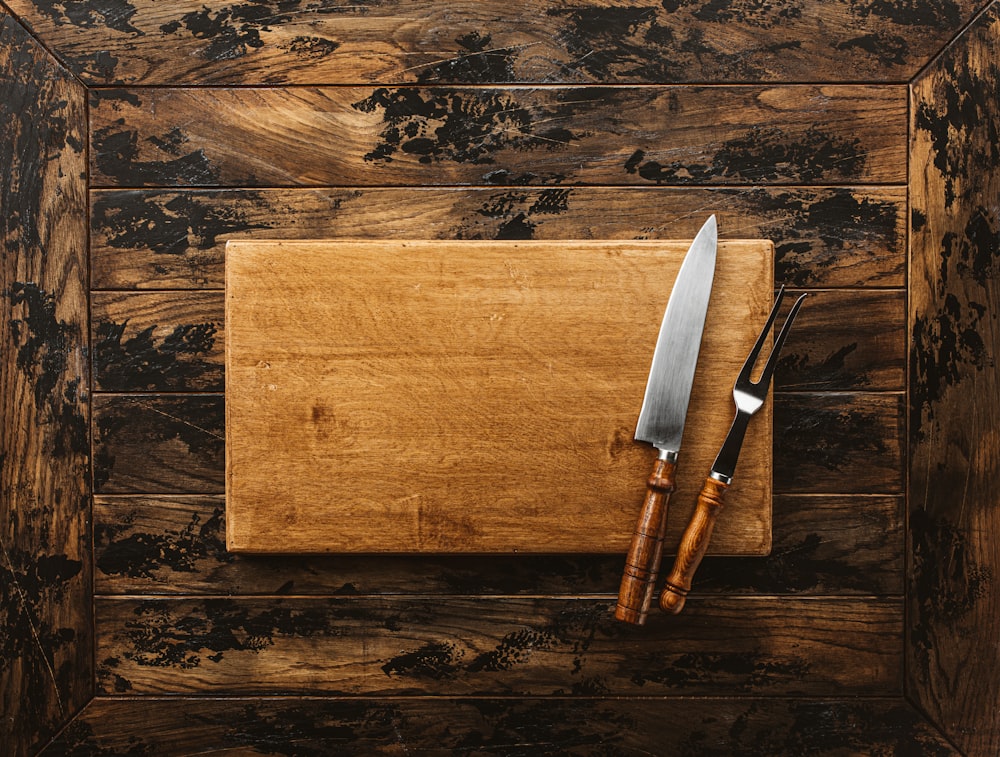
842 443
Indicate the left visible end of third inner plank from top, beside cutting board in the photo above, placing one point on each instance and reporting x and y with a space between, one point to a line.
160 342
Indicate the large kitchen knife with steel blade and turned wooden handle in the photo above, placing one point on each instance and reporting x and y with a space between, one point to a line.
661 418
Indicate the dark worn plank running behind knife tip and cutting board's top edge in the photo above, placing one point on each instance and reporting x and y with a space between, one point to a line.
824 236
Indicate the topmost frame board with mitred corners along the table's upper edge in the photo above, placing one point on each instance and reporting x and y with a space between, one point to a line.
333 42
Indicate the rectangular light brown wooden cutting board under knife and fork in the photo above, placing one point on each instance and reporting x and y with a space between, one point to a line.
474 397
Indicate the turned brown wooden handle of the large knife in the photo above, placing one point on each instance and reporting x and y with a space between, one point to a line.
643 562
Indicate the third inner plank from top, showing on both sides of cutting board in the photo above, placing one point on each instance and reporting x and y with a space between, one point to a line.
170 341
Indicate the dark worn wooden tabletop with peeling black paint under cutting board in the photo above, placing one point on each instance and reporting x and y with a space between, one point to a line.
137 138
